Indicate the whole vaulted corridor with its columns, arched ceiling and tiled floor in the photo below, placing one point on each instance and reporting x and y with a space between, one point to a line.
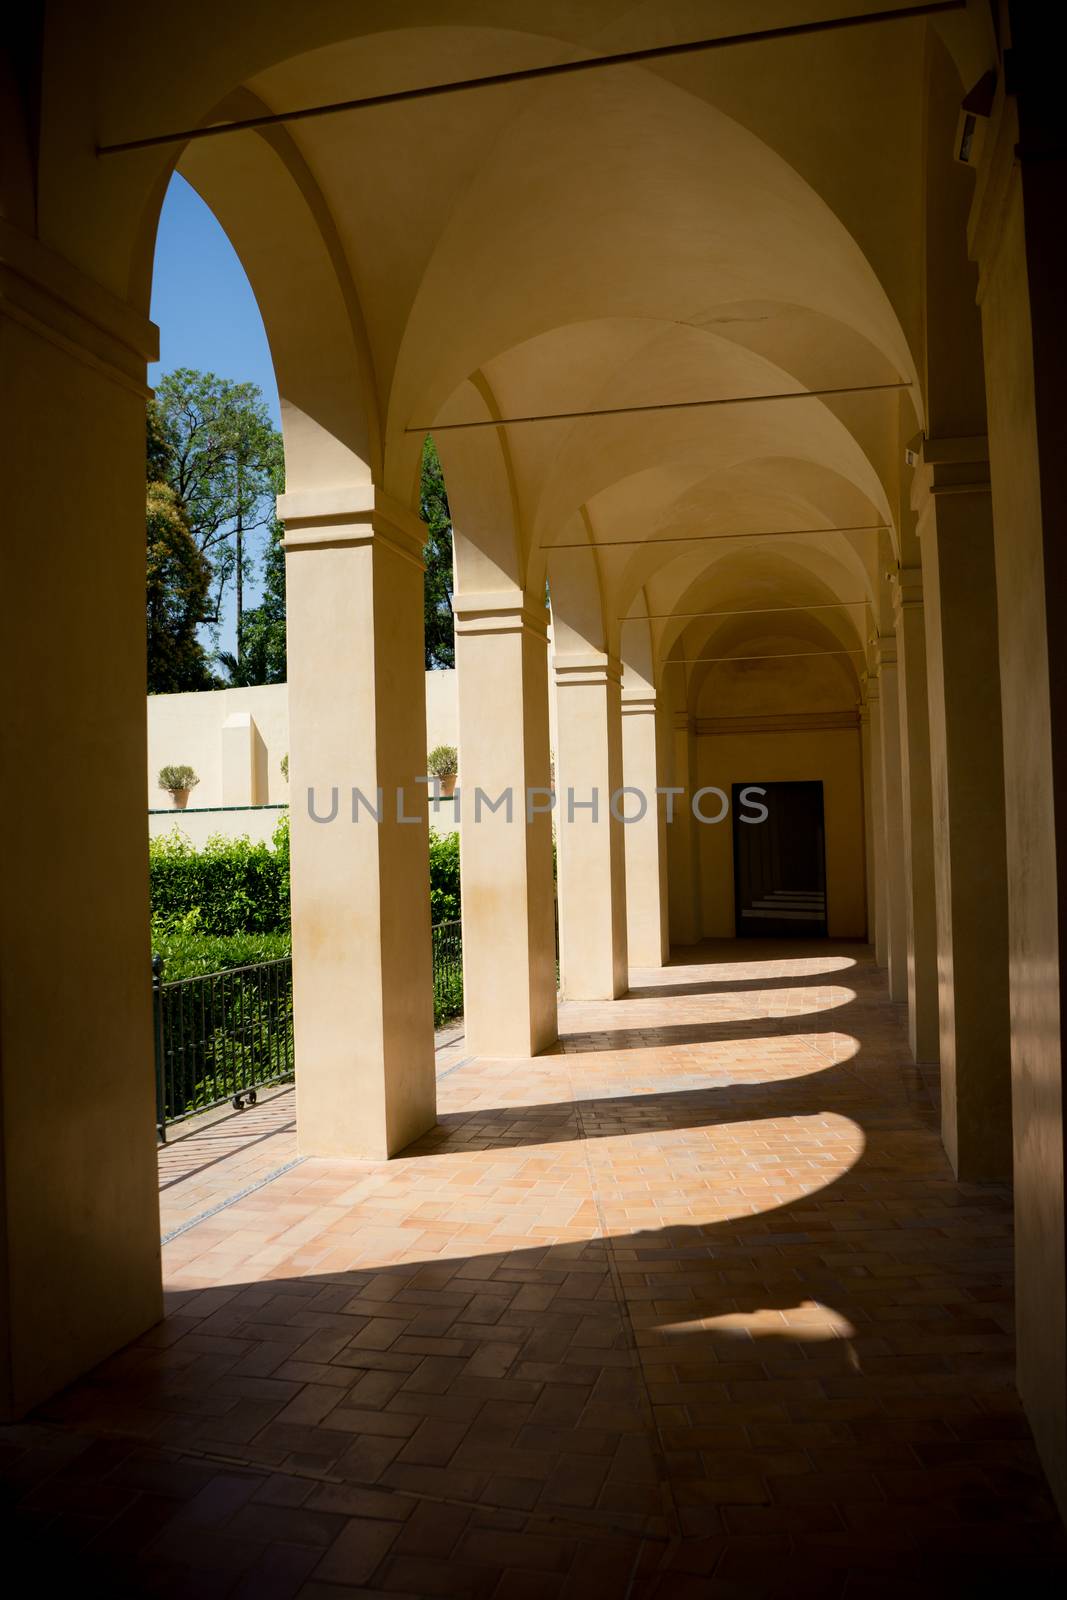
740 334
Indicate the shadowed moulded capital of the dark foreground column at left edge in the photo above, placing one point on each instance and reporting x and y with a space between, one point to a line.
46 294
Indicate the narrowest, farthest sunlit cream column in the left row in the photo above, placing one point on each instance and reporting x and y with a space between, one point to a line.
645 834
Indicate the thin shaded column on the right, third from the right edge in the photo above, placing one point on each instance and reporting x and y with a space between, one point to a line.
919 822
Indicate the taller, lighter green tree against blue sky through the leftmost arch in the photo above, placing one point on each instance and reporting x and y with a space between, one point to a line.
223 463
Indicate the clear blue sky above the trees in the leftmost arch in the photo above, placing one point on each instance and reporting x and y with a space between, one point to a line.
207 313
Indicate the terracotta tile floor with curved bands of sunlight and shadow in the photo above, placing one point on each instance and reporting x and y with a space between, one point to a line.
692 1308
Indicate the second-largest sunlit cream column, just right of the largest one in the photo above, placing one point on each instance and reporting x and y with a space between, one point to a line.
506 844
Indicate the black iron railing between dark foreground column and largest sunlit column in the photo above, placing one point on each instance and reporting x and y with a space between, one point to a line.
220 1038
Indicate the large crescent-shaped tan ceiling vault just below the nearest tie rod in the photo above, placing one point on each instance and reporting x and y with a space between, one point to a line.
682 218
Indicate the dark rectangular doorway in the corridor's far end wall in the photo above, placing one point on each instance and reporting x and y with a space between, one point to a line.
780 863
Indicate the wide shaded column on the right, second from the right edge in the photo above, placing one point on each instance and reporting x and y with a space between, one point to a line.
956 527
